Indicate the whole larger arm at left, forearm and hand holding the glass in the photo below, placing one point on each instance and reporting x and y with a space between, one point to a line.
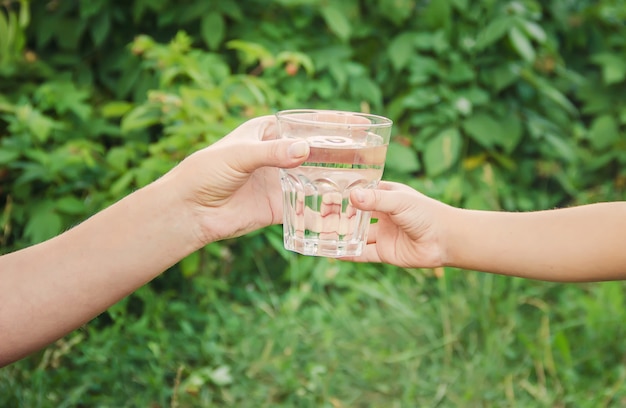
225 190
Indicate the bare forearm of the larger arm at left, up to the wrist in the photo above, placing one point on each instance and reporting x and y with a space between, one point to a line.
60 284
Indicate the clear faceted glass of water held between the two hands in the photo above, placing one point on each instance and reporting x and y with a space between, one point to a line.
347 151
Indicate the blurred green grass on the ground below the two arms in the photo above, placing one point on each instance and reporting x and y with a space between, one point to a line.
343 335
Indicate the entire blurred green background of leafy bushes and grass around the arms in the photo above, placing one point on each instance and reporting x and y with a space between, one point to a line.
505 105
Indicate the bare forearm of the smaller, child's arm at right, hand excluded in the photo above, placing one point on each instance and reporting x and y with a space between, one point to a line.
574 244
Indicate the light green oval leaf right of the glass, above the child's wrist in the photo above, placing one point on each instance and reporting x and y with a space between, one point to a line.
442 151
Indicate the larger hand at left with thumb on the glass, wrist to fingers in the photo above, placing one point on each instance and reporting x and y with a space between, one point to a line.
232 187
